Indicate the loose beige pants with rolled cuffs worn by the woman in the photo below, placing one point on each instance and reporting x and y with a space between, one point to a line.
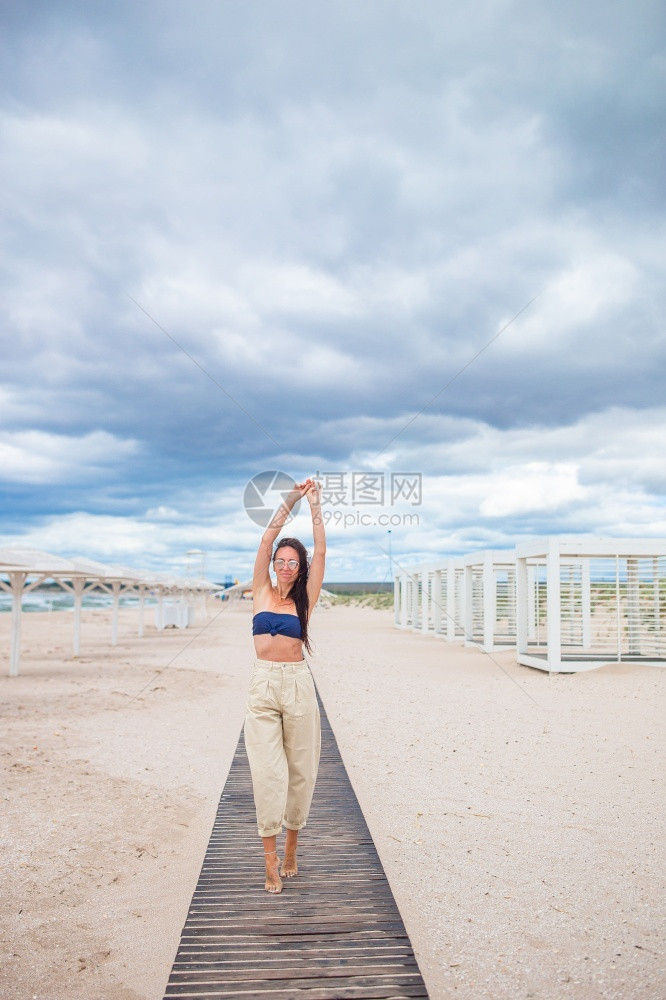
283 741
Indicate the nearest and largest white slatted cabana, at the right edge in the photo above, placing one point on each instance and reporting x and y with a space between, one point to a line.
582 602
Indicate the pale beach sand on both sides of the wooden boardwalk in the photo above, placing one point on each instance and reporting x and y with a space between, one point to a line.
519 817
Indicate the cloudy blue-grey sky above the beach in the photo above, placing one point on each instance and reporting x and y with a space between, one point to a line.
388 237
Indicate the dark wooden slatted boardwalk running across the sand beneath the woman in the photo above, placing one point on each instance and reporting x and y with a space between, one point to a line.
333 933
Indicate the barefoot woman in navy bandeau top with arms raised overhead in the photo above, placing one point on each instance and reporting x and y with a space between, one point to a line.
282 729
